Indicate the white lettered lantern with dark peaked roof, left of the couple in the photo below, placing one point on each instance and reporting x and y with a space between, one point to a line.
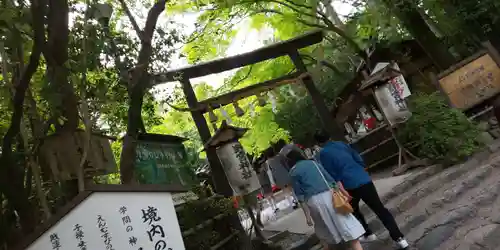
233 157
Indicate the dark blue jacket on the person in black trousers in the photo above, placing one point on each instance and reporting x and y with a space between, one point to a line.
344 164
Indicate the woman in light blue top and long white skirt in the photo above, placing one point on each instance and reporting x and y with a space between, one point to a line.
311 184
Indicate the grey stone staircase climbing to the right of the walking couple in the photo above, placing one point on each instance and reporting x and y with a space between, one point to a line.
457 208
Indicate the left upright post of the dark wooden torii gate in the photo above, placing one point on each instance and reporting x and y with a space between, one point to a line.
221 184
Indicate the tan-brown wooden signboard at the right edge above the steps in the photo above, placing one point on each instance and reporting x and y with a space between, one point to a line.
471 82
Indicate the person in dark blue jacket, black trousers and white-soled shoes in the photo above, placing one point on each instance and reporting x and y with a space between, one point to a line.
347 167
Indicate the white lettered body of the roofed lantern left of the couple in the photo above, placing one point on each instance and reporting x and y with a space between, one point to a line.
238 168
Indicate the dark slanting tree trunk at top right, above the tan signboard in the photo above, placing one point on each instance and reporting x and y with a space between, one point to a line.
408 13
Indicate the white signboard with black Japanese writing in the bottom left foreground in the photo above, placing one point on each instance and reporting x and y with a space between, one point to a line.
117 221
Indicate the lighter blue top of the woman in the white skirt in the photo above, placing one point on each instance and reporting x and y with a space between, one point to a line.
307 180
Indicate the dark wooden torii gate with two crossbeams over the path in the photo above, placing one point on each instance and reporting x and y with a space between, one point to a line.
198 108
